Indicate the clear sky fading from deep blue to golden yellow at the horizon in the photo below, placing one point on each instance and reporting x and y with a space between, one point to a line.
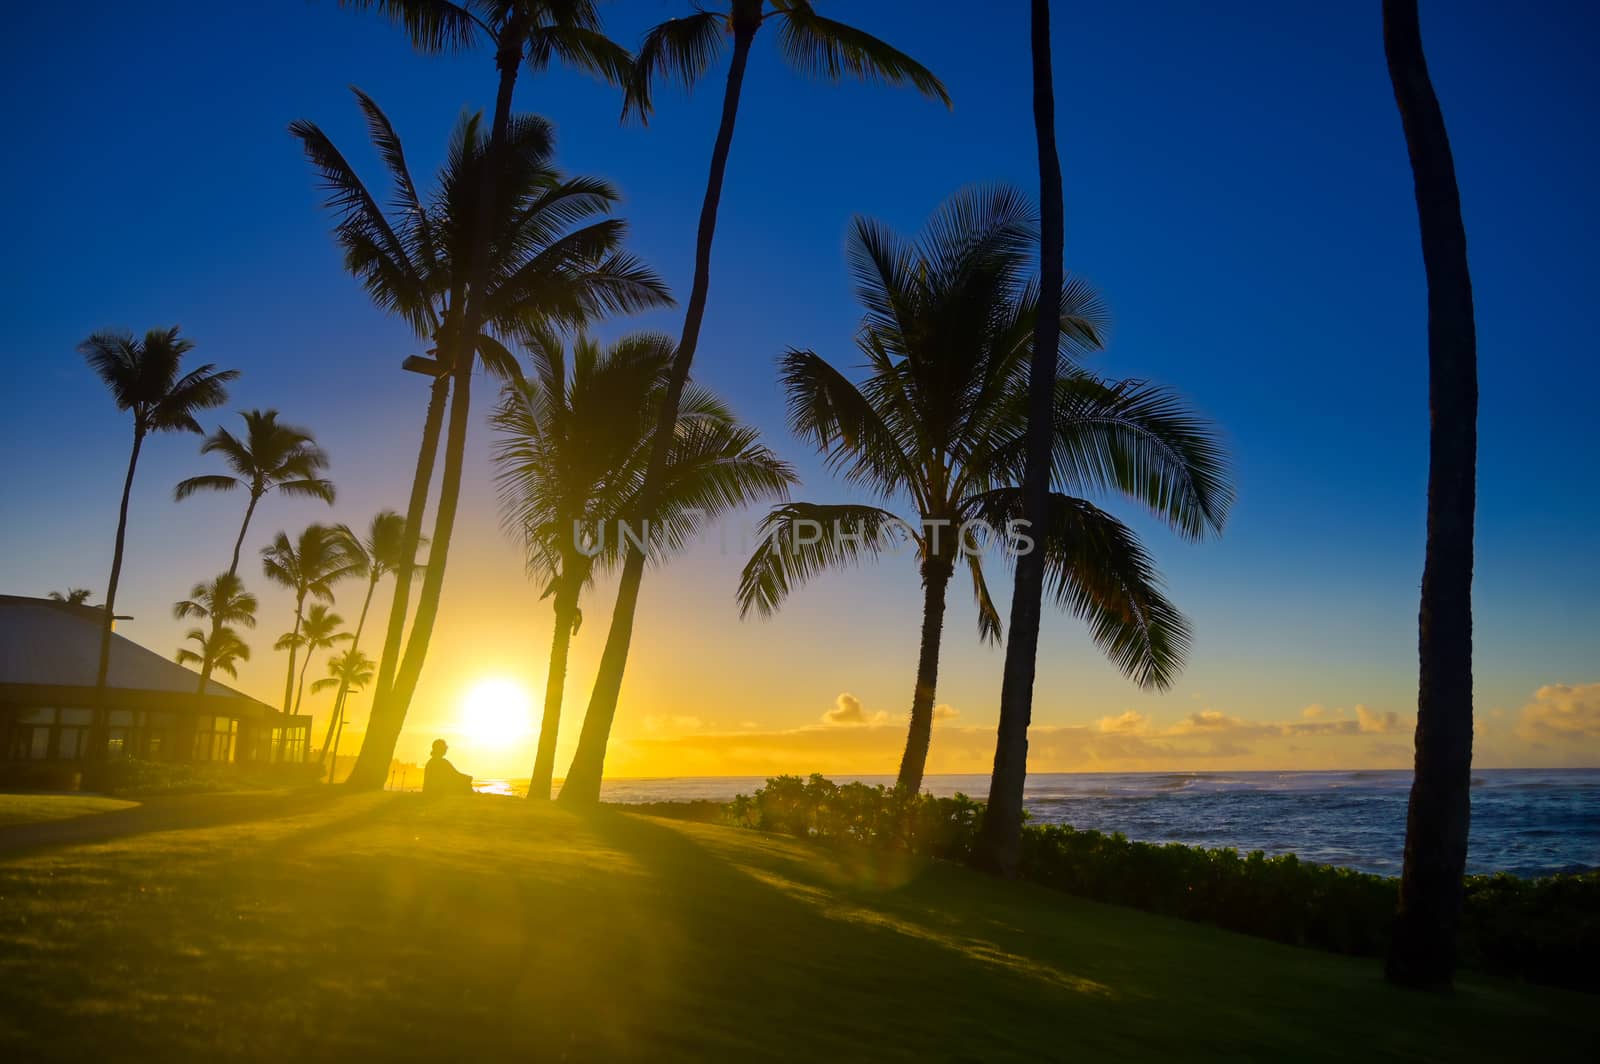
1236 185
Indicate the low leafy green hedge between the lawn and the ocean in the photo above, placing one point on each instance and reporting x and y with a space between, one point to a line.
1546 930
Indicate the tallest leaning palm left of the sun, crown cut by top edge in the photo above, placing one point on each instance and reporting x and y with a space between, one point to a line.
519 33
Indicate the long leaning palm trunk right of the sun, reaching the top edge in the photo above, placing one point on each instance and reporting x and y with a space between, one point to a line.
583 778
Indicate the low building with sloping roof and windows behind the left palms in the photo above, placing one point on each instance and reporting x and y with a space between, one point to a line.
153 708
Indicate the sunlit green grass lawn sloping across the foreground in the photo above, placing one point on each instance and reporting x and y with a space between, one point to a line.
386 927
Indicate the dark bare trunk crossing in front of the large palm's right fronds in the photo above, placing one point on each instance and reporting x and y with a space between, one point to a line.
1001 839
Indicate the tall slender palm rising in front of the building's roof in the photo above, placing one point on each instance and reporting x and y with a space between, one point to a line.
143 377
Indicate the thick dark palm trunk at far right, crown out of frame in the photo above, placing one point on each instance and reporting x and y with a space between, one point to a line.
1423 948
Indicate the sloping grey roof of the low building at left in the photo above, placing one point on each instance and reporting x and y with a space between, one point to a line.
47 644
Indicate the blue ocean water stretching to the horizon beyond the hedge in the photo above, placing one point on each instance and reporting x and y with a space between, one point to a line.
1524 822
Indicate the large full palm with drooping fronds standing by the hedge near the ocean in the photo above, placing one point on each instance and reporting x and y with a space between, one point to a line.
942 422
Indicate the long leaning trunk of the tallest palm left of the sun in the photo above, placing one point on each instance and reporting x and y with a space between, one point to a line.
393 702
